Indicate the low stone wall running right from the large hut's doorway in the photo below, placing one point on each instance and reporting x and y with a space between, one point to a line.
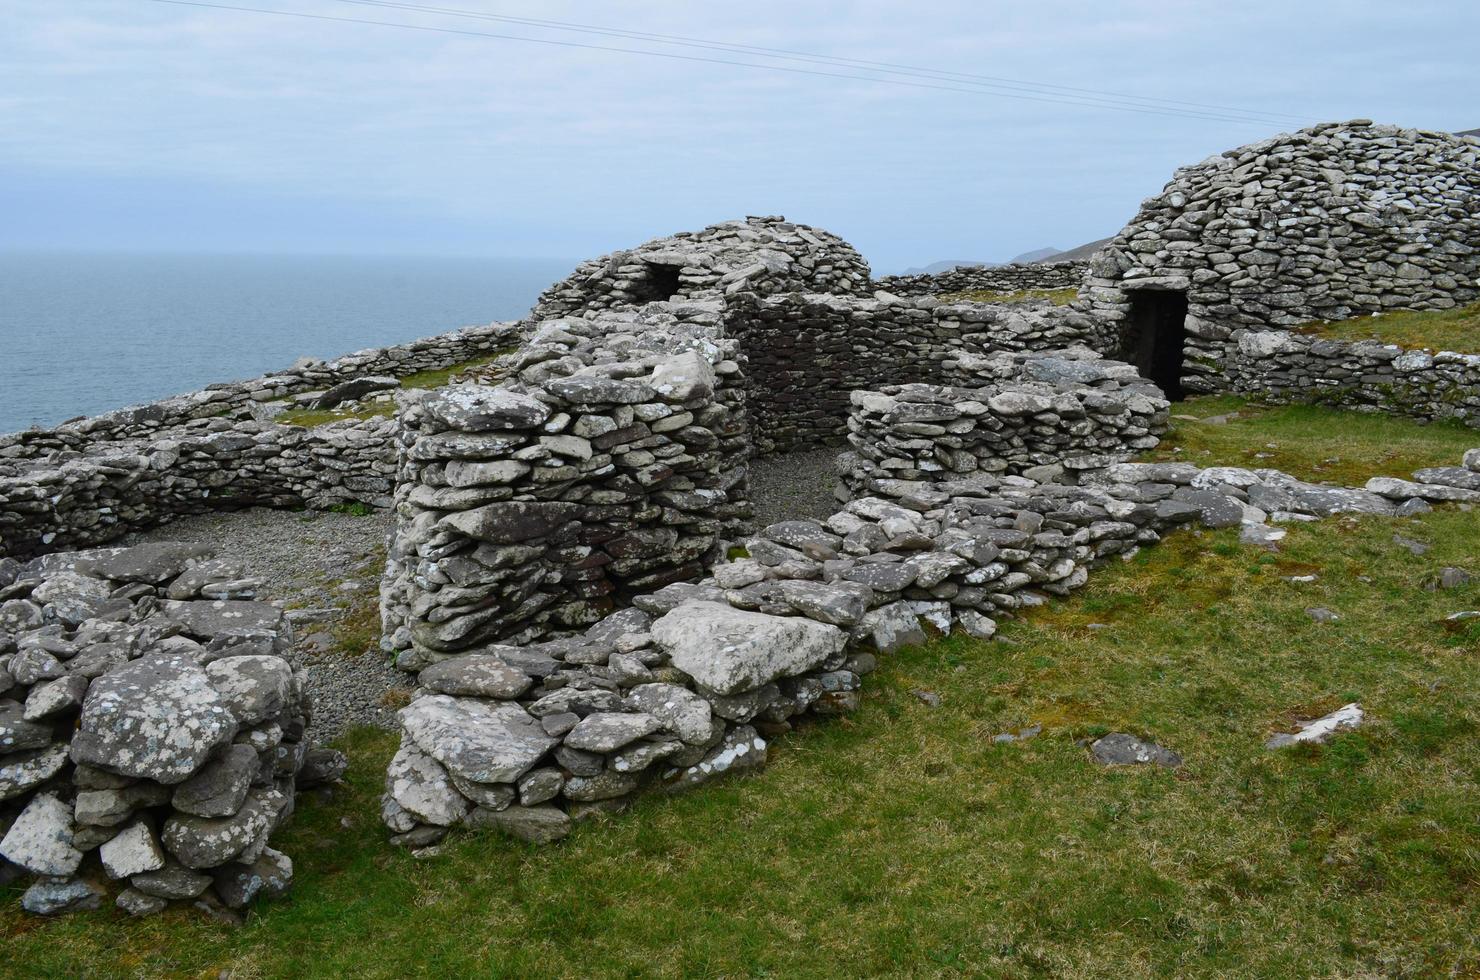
1368 377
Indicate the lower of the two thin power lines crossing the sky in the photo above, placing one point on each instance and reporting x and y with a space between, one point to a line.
716 61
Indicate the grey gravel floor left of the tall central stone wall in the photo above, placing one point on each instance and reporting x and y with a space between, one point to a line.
323 568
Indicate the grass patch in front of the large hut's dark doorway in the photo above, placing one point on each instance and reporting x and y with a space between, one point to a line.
1309 442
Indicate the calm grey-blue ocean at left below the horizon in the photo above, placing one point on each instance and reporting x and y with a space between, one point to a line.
82 334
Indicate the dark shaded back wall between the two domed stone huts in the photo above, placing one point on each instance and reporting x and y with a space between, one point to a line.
807 353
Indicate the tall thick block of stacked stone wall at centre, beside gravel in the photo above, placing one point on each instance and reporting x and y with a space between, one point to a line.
609 466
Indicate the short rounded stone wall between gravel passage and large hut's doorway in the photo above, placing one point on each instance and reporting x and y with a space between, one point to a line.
1037 414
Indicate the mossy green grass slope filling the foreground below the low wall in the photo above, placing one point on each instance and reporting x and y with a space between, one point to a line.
904 842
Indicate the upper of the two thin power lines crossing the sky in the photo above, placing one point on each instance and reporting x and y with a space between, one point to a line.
784 54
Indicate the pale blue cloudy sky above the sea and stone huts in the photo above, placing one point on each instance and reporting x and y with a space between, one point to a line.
165 127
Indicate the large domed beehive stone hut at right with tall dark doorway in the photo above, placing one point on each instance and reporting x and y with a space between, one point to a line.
1322 224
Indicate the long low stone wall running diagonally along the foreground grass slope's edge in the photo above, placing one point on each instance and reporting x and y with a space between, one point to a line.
692 682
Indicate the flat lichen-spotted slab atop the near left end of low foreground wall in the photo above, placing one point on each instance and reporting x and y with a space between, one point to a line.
479 741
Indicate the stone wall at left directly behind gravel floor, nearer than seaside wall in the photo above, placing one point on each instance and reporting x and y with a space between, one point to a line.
211 466
